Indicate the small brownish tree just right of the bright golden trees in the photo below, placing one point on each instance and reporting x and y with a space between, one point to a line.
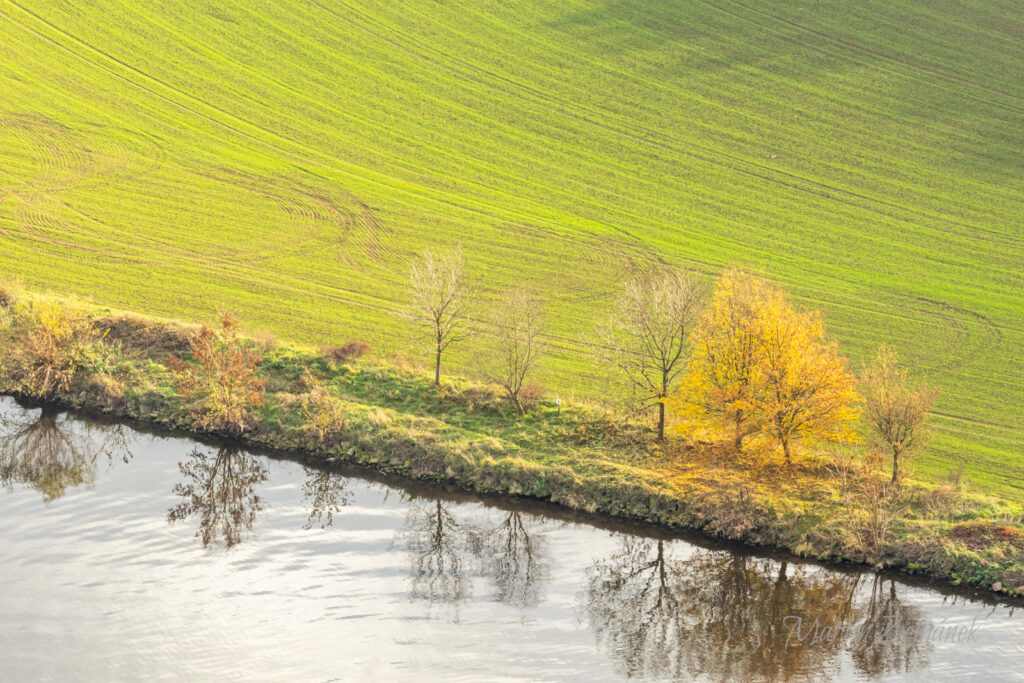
897 413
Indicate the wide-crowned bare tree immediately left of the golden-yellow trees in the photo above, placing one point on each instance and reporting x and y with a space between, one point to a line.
647 337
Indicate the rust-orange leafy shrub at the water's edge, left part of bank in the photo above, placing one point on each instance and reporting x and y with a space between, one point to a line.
224 388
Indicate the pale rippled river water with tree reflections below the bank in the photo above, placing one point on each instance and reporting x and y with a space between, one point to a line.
133 557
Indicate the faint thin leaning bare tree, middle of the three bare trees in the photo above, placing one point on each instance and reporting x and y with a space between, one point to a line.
519 320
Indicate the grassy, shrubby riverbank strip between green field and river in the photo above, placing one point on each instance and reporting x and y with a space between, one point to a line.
388 415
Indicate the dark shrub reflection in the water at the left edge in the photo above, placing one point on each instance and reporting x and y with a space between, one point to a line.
52 453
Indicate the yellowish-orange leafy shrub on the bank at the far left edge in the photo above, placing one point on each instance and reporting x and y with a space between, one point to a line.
52 341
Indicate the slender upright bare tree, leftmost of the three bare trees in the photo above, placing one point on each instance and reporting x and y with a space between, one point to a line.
440 301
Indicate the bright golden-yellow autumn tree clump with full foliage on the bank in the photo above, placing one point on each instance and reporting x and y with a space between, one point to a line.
760 367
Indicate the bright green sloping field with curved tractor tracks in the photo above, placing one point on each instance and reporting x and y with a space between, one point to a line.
286 160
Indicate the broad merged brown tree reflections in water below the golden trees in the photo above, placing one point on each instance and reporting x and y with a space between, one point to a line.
731 617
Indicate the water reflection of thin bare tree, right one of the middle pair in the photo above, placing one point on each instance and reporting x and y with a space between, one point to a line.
514 562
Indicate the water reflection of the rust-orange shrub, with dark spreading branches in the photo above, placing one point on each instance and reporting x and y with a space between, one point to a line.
222 491
